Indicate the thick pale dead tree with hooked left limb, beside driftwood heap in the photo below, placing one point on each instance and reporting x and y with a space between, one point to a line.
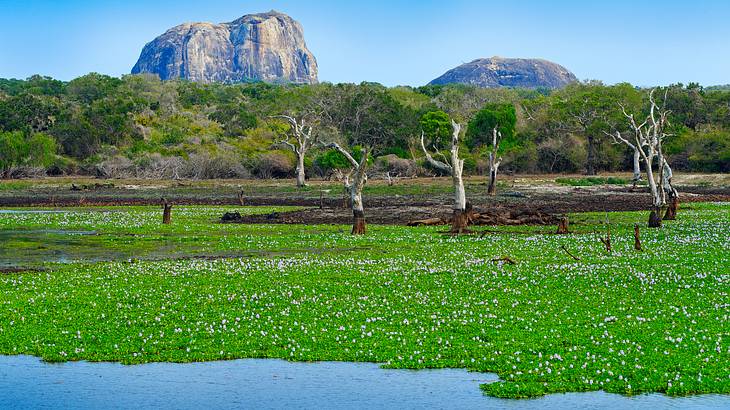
455 168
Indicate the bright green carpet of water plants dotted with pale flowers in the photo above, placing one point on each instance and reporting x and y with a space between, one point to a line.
627 322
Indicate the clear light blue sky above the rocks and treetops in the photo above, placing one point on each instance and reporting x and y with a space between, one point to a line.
396 42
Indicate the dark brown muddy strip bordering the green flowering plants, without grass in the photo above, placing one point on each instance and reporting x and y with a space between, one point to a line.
539 205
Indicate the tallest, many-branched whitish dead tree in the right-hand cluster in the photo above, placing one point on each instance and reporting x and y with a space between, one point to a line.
647 139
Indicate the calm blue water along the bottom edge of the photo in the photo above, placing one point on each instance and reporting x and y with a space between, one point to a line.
27 382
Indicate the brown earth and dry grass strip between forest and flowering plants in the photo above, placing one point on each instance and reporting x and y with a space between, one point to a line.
524 199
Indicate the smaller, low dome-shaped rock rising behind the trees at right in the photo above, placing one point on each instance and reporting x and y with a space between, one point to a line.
508 72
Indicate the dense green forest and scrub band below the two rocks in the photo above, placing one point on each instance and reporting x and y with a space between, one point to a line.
140 126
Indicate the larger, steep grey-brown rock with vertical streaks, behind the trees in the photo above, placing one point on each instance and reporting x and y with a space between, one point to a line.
257 47
